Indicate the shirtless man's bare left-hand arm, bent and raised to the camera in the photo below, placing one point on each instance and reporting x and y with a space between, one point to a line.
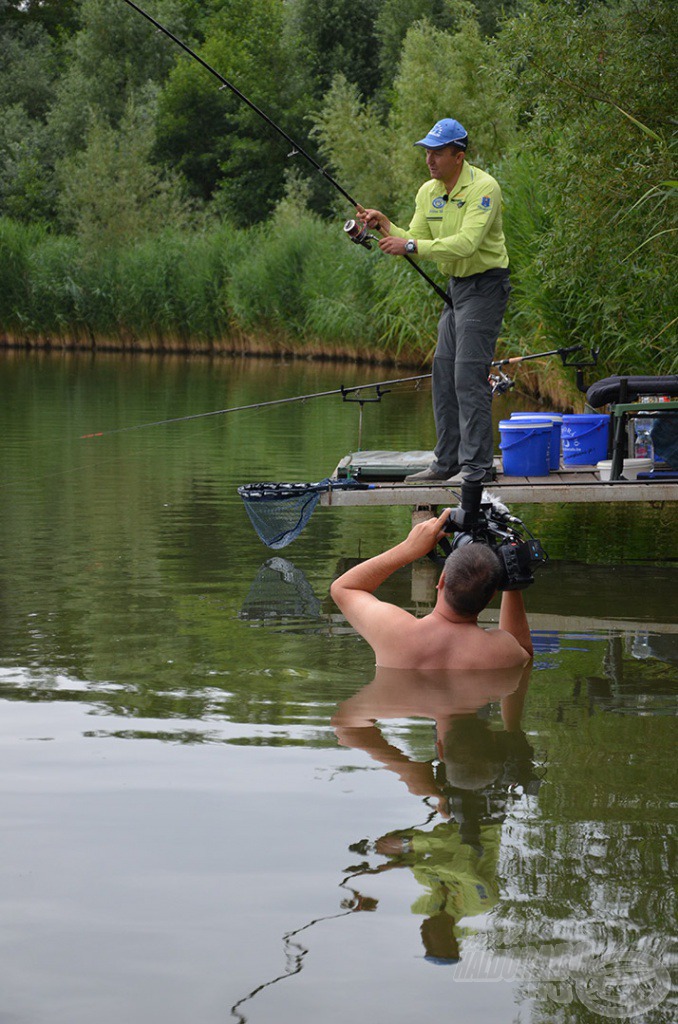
354 592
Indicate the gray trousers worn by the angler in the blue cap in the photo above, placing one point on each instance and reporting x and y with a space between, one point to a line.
462 396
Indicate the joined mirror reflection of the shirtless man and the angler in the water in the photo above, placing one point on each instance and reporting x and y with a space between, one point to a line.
456 862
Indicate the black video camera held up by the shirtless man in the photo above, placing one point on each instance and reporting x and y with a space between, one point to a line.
482 519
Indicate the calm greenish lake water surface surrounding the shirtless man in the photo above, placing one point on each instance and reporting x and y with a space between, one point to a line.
205 790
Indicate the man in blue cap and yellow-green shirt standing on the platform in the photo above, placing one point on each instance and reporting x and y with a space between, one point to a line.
458 224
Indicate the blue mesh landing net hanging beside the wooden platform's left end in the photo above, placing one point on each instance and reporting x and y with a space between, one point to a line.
279 513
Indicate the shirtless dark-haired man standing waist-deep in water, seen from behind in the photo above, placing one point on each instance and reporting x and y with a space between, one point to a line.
450 636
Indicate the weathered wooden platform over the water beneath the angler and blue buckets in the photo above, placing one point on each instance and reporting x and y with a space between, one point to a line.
571 486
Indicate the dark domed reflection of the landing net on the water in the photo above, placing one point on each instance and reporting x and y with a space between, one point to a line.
280 590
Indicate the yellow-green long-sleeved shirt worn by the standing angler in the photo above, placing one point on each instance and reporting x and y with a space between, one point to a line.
464 234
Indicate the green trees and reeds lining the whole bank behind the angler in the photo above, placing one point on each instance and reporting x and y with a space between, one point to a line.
142 207
